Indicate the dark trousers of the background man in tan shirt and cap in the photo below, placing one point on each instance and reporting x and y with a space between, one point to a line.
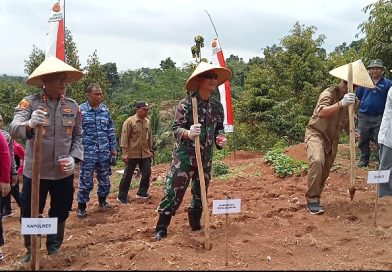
145 171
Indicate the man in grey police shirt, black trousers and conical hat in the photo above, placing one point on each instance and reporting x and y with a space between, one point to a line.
62 135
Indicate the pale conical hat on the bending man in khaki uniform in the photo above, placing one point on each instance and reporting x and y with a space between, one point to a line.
361 76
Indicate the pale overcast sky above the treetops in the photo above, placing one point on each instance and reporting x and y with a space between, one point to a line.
141 33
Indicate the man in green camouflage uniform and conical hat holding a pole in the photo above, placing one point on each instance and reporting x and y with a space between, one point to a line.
184 168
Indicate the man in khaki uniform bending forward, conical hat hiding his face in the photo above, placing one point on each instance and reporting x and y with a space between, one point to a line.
329 119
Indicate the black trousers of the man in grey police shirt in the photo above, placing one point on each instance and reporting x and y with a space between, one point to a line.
61 197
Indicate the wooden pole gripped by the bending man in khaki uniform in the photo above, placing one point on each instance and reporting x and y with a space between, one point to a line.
350 87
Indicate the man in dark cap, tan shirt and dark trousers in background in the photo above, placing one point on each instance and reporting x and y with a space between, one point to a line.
136 150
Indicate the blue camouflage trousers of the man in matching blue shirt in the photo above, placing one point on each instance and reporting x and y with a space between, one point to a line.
86 181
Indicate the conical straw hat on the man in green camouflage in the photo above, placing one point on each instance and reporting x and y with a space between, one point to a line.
223 75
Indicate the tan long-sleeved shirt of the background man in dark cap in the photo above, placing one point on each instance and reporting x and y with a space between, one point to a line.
136 136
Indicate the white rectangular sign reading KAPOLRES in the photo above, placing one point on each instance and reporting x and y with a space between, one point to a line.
39 225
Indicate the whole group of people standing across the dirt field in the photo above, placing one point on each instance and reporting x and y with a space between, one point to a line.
85 135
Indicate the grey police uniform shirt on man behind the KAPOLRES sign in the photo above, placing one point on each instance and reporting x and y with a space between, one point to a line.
62 133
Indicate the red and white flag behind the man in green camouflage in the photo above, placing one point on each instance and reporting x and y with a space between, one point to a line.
224 89
